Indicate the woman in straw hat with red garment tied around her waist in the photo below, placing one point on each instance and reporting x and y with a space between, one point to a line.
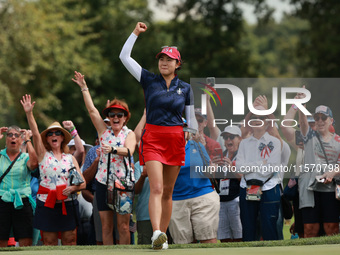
56 211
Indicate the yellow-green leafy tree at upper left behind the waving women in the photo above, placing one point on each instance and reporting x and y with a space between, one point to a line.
42 42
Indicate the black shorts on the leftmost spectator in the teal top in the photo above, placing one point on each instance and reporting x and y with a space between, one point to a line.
20 219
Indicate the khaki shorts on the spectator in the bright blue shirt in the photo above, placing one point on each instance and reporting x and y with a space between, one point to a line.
195 218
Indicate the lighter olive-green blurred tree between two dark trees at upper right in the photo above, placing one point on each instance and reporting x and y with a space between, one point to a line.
273 46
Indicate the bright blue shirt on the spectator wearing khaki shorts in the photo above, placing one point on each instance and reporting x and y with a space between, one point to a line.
186 186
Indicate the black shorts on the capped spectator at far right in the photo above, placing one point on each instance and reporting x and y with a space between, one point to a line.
326 209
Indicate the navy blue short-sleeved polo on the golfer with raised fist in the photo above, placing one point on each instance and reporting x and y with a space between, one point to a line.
165 106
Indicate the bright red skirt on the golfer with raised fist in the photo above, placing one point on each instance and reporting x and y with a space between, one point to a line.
165 144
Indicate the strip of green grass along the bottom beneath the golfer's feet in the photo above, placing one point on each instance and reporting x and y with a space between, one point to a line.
310 246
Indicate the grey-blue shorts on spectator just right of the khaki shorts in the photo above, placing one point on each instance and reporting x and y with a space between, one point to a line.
229 226
